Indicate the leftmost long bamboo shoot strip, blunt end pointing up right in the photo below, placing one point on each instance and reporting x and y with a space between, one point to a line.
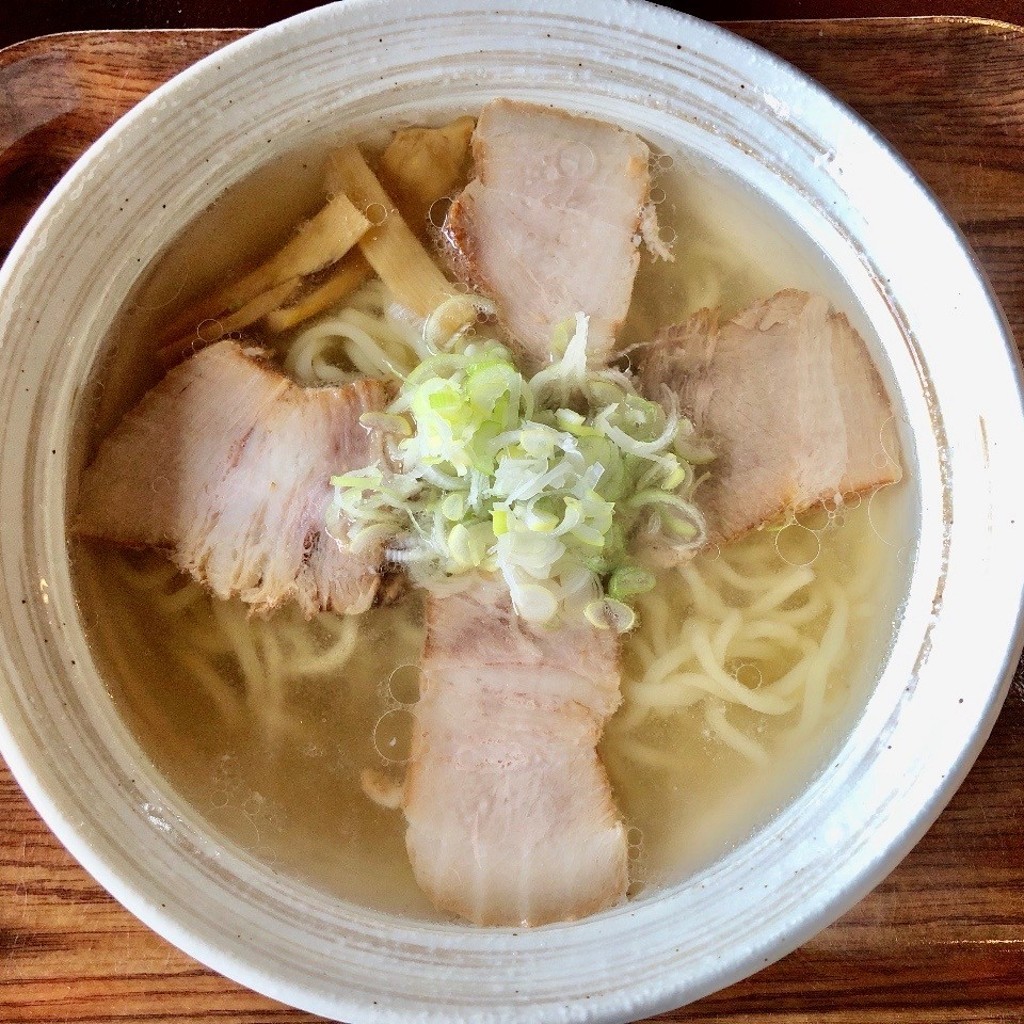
321 241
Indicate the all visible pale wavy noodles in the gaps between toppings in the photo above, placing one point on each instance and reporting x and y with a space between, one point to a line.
746 649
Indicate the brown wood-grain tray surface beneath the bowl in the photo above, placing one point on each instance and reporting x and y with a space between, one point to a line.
943 940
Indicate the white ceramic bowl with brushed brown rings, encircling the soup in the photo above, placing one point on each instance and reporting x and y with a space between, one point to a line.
669 77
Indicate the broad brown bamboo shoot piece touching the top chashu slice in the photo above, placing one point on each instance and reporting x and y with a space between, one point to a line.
423 165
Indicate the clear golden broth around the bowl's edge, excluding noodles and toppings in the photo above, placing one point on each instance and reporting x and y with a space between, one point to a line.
290 794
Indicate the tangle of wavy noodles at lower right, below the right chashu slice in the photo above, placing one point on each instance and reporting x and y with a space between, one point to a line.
743 638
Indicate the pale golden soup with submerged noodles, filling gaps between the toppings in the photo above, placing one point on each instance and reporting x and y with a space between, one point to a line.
745 668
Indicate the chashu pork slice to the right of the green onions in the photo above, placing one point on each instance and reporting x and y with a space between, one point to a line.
789 398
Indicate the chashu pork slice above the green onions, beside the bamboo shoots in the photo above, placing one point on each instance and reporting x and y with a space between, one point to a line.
549 227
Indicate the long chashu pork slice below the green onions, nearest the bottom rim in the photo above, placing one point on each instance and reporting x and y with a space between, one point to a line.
510 815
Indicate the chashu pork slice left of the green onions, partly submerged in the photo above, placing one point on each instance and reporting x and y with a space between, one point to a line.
226 464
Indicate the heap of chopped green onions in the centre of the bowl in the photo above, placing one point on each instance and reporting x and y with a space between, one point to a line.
545 481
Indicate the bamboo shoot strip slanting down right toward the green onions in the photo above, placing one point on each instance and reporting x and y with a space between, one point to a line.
391 247
